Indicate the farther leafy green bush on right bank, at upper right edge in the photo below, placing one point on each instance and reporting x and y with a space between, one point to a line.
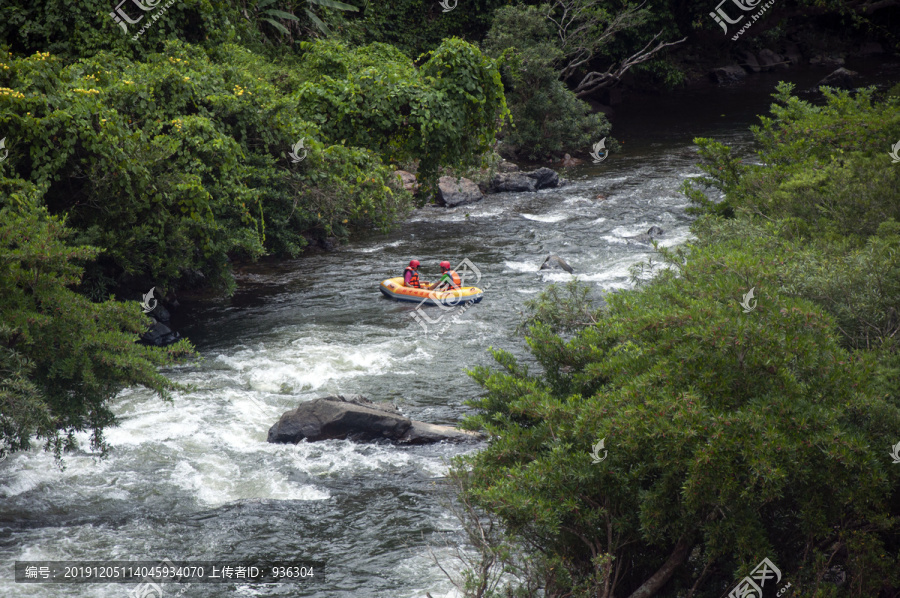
825 165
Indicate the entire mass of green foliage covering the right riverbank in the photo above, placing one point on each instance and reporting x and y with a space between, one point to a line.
731 436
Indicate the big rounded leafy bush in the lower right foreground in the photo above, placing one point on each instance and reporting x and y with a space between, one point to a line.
731 437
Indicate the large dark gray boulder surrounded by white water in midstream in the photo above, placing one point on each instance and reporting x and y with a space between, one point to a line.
354 417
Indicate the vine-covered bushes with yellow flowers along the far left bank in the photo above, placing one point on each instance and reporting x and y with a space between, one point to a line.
174 164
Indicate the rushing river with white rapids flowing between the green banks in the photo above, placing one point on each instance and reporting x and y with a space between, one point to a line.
195 480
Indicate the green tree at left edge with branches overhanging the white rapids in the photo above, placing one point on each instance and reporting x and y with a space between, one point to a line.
63 358
